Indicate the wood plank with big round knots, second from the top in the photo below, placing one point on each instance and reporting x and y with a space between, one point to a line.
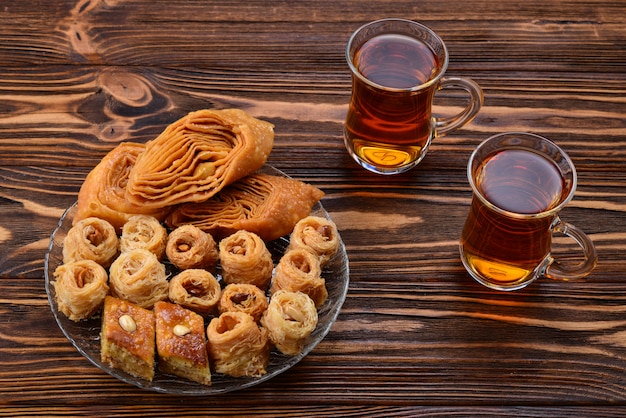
81 113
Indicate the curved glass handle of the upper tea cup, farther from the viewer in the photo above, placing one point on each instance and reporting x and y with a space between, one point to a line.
444 125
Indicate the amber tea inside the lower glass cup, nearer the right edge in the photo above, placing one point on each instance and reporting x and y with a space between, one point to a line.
504 248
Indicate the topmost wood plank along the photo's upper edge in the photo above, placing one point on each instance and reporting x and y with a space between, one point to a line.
220 35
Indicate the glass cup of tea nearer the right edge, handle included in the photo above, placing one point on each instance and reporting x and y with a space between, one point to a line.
520 183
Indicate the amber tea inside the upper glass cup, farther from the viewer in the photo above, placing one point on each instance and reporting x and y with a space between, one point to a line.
388 127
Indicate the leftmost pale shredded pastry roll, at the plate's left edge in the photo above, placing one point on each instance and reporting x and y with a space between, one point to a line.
80 288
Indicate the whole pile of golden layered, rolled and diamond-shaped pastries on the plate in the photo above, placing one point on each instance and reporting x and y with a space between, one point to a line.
169 243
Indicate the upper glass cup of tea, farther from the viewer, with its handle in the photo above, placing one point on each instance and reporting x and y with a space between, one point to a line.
397 67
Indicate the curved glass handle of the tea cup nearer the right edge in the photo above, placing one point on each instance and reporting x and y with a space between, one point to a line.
559 271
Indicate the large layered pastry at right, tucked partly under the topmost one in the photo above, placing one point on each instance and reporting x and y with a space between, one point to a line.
264 204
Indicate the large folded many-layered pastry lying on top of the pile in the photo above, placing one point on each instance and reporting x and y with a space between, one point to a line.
198 155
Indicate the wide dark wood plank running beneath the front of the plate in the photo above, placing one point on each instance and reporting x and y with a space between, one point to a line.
541 344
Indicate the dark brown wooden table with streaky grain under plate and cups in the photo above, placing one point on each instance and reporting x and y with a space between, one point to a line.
416 336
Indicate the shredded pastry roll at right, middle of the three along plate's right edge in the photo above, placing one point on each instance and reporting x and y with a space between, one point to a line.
299 271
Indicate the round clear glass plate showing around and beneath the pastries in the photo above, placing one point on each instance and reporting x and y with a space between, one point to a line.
85 335
